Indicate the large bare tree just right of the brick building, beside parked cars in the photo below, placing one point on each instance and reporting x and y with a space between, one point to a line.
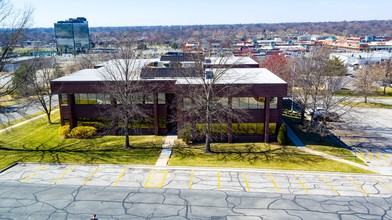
318 80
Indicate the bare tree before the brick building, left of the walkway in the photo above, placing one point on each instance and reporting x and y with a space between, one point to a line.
126 89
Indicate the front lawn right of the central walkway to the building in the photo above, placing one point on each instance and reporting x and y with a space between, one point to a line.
257 155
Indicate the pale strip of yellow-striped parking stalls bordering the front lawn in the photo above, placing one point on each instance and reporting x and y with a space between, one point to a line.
314 183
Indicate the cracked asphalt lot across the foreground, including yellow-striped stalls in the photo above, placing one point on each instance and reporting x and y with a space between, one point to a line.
42 191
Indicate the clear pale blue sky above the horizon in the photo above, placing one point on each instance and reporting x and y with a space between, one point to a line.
190 12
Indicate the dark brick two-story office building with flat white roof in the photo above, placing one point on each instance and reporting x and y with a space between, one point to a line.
82 98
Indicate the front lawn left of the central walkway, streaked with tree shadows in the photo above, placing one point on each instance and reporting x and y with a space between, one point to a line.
38 142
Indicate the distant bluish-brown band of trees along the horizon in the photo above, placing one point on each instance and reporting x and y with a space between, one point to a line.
181 34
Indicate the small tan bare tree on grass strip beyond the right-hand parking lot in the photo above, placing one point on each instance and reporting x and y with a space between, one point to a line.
365 81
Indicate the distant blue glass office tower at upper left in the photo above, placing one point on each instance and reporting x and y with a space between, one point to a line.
72 35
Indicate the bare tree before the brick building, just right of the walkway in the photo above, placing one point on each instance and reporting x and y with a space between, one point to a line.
205 101
